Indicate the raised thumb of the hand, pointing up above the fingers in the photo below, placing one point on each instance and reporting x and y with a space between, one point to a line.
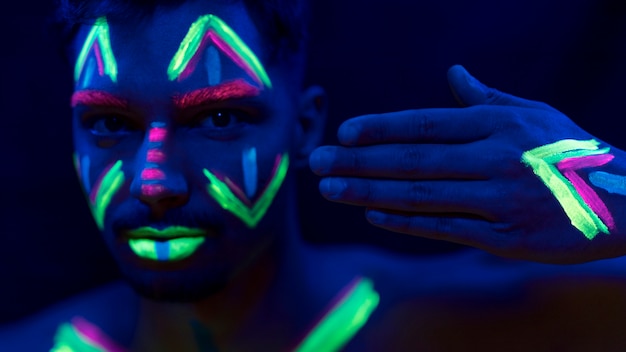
468 91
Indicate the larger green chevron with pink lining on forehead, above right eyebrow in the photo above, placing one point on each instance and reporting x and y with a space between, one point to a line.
212 28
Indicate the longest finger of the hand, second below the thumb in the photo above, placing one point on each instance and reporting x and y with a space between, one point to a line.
406 161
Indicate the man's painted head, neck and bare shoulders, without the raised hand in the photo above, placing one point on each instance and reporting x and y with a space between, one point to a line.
189 118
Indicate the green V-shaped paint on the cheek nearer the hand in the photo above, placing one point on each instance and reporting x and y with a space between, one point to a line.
231 198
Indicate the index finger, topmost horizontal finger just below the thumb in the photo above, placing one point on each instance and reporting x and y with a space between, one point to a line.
453 125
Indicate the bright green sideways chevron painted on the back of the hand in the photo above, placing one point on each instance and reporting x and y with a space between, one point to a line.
542 160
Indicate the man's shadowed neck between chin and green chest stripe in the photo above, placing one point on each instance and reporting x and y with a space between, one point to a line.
267 303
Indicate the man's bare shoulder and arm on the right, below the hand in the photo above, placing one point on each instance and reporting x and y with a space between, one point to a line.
448 302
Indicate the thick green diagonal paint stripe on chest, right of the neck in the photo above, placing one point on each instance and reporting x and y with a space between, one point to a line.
344 320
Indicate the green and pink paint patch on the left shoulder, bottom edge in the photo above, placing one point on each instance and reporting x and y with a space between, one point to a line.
81 335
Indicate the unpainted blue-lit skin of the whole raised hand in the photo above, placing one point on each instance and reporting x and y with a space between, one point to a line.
457 175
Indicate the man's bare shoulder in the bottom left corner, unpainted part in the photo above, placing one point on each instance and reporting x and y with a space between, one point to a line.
100 306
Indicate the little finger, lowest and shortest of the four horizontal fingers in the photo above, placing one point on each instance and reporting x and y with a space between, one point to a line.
466 231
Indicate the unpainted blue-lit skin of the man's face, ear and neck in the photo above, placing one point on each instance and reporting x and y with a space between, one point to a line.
238 272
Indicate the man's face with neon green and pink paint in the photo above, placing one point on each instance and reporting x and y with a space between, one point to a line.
183 133
